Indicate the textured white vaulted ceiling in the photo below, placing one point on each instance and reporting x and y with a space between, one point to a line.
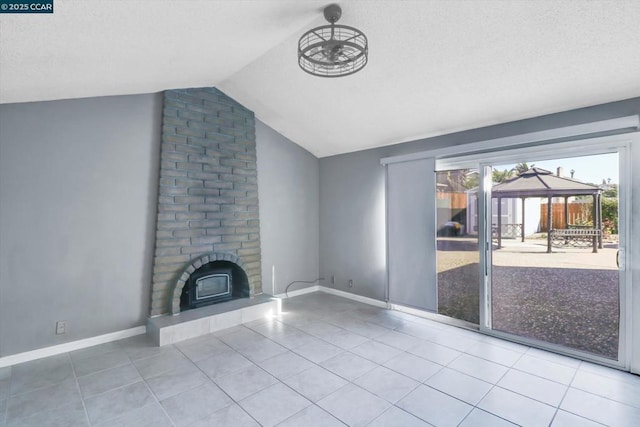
435 66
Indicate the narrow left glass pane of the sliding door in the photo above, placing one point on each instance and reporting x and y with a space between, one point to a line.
457 256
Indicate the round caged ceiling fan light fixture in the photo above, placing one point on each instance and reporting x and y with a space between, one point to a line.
333 50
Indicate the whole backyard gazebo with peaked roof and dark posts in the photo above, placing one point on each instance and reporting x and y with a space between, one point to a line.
537 182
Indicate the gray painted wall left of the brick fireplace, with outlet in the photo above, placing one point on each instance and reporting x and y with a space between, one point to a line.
78 191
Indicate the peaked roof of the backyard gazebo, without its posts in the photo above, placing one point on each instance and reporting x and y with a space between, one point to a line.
537 182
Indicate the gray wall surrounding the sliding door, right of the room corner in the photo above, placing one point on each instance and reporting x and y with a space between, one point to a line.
352 232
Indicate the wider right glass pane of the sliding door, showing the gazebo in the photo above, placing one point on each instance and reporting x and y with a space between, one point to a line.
554 274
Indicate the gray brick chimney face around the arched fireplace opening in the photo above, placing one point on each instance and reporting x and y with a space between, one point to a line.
208 192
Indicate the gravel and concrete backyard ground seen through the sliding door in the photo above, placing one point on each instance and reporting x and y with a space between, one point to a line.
568 297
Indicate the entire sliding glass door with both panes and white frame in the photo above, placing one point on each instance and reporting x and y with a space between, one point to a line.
530 247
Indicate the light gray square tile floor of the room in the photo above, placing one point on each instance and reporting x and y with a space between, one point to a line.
326 361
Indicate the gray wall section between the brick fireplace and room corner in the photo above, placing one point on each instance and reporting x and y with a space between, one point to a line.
288 192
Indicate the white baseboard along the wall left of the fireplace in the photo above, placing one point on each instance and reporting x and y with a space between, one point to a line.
28 356
